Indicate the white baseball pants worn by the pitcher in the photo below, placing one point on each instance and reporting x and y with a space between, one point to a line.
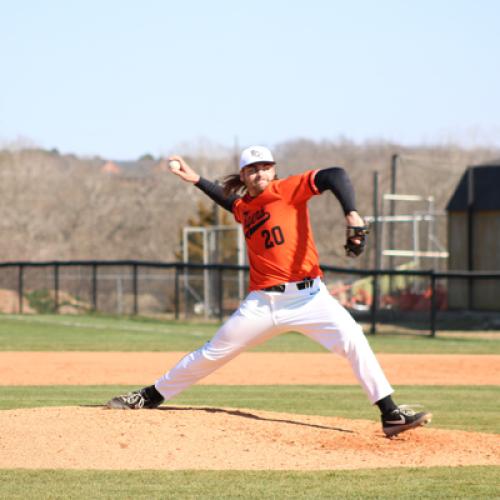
263 315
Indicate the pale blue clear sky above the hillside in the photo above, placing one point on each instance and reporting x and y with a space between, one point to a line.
123 78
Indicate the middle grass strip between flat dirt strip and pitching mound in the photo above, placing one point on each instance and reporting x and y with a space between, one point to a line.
466 408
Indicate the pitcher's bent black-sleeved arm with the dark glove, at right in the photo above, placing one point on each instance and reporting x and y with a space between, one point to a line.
337 181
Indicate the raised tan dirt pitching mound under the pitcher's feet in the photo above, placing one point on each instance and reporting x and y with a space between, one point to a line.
219 438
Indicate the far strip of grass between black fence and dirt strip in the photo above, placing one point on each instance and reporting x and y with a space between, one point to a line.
95 333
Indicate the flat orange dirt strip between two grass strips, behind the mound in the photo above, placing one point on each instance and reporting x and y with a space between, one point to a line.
143 368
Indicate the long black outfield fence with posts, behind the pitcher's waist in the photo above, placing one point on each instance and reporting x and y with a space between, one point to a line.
417 299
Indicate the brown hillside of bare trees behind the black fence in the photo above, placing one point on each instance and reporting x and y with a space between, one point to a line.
64 207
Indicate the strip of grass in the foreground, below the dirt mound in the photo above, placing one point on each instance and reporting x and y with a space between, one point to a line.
438 482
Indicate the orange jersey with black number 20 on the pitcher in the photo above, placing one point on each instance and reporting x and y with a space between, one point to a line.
278 232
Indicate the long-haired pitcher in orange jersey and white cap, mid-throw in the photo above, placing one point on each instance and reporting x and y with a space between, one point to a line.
286 288
